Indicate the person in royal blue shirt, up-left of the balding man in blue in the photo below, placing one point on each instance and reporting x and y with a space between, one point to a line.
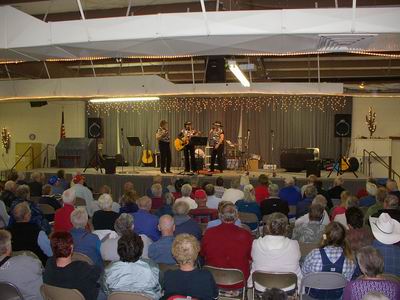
144 221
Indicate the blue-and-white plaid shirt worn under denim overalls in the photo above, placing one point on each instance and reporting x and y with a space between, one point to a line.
313 261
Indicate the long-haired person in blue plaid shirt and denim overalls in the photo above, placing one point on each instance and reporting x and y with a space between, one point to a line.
334 255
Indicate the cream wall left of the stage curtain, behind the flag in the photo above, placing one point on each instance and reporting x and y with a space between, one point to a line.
21 120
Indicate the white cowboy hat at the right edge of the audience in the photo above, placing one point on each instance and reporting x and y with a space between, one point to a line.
385 229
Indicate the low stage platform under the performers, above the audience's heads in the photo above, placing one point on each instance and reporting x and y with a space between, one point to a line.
143 177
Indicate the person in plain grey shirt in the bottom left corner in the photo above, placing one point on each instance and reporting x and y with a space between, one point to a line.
22 271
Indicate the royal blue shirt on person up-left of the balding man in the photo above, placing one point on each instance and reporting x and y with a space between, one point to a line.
146 223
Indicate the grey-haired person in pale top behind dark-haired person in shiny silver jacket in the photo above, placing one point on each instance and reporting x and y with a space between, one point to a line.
124 223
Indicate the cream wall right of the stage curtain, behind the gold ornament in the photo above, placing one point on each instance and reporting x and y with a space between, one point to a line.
388 124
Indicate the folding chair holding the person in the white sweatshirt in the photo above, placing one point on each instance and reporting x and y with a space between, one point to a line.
269 280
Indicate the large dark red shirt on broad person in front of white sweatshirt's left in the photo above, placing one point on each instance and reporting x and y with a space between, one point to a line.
228 246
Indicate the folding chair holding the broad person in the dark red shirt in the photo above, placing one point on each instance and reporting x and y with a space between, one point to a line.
223 276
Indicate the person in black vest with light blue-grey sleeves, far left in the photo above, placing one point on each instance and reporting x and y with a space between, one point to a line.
28 236
